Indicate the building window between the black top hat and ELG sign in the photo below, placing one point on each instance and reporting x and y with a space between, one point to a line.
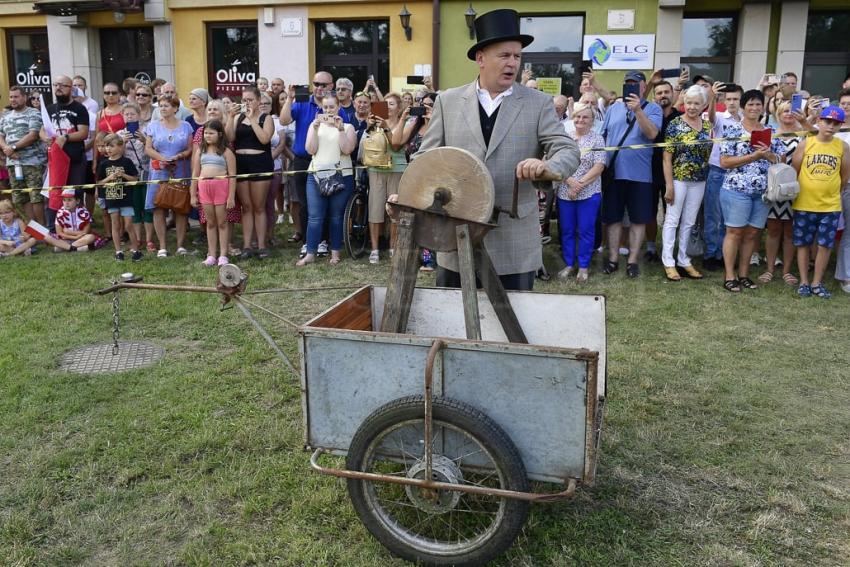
555 52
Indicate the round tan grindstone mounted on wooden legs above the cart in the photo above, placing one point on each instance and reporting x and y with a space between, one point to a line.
453 171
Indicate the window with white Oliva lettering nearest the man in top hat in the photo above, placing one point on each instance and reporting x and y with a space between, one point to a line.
232 57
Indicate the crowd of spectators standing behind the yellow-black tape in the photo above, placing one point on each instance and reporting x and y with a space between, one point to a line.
699 171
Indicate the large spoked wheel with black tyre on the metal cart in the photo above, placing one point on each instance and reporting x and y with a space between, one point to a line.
437 527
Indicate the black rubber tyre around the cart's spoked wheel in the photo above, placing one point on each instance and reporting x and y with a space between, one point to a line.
477 425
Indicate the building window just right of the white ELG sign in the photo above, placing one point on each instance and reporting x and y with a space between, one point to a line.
708 45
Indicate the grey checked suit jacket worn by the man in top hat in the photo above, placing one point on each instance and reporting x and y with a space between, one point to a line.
526 127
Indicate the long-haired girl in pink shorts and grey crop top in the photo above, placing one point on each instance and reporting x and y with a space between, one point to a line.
213 159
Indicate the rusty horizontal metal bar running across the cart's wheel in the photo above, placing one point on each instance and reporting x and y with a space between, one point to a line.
431 485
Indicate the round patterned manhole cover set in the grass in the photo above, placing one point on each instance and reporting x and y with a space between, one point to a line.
96 359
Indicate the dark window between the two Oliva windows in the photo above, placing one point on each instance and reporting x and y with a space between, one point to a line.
127 52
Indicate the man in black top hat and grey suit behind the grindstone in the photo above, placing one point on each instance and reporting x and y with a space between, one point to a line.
514 130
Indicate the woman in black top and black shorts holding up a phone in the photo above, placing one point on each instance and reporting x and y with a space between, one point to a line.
251 130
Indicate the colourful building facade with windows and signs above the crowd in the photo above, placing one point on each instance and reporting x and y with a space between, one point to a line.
226 44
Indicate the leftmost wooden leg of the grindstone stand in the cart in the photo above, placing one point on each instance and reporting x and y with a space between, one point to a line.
402 278
